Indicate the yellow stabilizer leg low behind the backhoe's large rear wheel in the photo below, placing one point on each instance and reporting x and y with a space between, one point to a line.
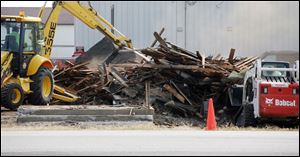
61 94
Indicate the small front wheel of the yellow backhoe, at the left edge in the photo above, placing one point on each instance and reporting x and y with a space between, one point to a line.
12 96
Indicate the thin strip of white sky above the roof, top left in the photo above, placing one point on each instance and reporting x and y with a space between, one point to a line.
24 3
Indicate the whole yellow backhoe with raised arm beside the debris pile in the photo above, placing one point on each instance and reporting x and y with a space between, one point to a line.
26 46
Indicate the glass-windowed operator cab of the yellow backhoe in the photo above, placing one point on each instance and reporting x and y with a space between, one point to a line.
23 38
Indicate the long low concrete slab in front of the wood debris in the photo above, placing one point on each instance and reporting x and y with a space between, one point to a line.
82 114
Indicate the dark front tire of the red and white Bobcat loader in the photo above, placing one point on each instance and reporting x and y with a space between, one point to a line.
246 117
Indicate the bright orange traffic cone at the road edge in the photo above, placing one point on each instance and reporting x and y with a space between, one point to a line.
211 123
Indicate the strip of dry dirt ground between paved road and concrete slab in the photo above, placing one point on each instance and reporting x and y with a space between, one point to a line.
9 122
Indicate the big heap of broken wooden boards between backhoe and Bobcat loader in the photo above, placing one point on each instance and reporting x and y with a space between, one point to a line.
169 78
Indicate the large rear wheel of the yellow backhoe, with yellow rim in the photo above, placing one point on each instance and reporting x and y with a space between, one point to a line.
41 87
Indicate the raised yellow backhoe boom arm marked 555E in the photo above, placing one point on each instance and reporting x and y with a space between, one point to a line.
88 16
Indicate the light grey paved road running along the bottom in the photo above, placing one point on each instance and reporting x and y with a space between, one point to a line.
175 143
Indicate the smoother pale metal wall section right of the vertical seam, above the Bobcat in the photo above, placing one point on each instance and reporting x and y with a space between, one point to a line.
256 27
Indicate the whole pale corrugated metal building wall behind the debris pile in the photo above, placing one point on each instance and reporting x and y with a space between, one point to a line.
211 27
